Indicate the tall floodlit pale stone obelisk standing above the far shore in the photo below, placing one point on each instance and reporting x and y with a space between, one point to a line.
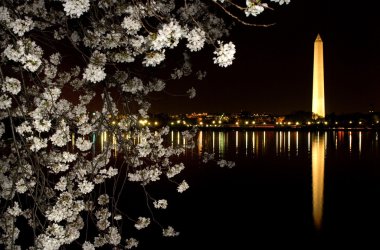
318 107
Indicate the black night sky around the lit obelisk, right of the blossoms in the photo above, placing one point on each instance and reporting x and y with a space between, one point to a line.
273 69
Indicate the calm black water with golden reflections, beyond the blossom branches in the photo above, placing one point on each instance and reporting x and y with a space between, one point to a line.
308 190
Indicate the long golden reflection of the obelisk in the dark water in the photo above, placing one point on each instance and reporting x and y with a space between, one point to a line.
318 174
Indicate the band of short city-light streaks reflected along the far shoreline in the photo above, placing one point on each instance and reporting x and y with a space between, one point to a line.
253 144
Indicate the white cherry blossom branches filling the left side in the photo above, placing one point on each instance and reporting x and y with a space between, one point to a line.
76 80
